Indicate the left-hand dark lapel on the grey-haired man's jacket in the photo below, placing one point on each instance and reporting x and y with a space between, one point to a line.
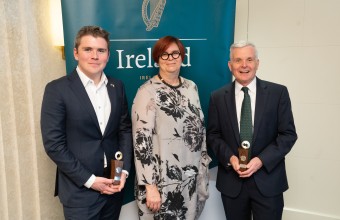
230 103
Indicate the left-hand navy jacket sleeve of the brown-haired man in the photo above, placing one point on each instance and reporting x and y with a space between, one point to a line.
53 129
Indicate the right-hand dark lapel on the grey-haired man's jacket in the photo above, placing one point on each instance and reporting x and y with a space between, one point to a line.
261 101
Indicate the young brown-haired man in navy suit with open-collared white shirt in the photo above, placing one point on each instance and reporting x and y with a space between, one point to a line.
84 122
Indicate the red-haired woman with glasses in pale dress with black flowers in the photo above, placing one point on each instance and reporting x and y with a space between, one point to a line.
169 140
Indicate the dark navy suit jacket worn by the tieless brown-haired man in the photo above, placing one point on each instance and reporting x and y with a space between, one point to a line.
73 140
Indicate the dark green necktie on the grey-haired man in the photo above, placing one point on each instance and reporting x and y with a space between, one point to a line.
246 128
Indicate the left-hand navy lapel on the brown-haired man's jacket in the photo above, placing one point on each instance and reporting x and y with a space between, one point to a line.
78 88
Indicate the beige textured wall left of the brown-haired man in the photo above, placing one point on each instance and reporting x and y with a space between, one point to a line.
28 61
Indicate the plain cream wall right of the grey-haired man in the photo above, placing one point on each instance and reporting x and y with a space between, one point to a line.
299 46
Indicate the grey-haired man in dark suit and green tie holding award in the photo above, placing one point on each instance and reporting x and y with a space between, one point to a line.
258 191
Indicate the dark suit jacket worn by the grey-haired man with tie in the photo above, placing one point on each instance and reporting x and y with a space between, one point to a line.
273 137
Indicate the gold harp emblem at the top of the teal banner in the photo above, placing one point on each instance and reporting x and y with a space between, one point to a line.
152 11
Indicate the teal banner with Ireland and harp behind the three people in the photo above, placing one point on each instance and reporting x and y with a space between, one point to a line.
206 29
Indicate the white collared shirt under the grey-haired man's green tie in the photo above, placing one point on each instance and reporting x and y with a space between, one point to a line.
239 95
